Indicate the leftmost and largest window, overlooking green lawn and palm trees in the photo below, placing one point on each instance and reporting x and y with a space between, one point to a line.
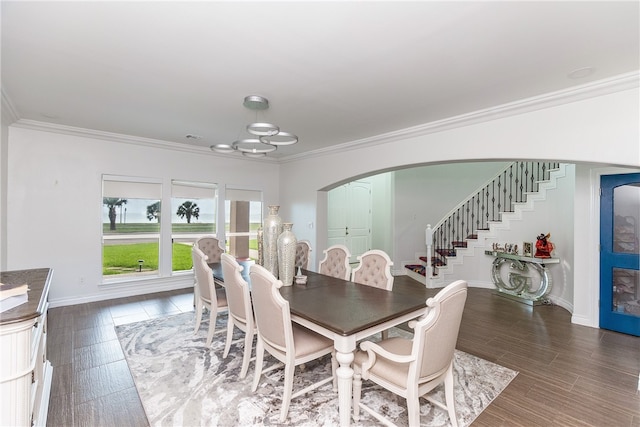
130 233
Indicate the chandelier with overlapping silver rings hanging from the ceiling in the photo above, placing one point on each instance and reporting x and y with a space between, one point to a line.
265 137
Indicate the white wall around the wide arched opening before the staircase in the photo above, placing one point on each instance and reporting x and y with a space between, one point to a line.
601 130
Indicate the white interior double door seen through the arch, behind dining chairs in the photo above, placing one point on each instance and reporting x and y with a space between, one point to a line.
349 217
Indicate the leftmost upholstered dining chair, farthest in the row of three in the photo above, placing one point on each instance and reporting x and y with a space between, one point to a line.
206 293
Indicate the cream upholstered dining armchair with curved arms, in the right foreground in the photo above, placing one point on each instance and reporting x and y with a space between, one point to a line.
412 368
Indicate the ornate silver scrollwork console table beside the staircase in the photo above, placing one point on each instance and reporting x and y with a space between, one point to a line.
523 272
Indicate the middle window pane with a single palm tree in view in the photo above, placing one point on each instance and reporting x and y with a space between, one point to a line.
193 214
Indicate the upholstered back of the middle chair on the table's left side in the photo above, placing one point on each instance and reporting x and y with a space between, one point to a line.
237 289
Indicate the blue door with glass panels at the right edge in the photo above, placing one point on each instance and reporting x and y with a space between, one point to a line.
620 253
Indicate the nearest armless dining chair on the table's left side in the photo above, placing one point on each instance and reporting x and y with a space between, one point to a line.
290 343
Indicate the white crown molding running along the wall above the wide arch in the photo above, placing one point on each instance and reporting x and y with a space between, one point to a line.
552 99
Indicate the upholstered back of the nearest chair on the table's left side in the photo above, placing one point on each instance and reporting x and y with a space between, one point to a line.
273 318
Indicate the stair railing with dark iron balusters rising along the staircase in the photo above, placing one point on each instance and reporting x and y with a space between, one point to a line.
485 205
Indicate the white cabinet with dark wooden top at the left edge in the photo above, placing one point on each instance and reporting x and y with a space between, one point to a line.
25 372
